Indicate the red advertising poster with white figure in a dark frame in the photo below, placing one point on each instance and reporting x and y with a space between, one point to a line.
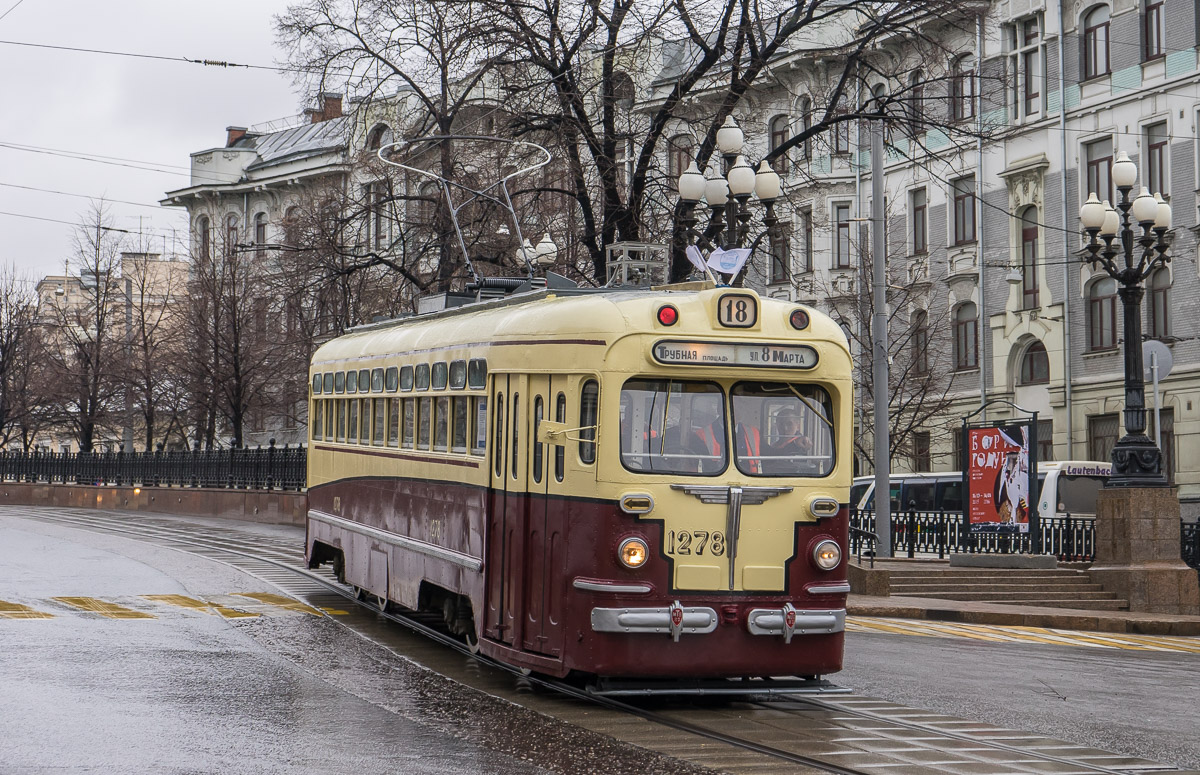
999 479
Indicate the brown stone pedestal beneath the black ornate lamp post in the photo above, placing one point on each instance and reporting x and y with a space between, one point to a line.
1138 551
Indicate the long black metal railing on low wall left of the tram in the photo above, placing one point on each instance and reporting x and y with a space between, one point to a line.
262 468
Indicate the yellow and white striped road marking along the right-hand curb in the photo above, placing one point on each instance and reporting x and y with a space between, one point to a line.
1022 634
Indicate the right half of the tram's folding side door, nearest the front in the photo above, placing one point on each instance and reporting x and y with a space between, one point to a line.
545 537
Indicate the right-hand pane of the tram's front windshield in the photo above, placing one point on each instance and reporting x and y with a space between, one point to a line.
783 430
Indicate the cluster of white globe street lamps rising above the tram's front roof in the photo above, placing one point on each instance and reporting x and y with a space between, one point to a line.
729 196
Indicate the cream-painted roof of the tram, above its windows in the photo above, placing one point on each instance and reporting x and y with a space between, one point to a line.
571 314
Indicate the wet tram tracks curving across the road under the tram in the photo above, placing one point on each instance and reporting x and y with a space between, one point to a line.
862 726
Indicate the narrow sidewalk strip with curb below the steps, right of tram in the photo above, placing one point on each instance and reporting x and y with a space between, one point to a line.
971 612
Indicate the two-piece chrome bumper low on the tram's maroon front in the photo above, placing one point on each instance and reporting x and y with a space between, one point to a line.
677 620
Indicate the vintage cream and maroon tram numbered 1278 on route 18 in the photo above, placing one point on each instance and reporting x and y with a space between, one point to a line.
622 484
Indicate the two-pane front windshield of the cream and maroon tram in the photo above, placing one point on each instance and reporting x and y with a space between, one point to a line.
681 428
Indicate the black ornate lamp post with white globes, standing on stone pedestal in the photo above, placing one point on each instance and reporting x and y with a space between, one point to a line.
1137 460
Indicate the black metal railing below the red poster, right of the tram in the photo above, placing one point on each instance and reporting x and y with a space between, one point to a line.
941 533
